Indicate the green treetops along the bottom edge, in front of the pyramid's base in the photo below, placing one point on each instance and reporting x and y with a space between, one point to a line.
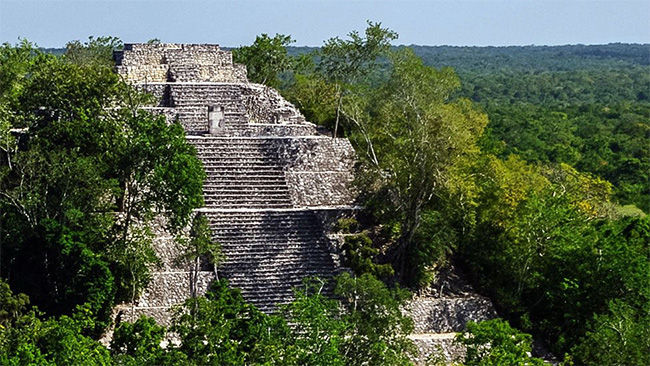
220 328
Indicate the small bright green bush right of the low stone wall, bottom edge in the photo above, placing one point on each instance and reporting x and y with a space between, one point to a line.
495 343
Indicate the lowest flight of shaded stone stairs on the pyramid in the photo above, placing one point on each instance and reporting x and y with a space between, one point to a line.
269 252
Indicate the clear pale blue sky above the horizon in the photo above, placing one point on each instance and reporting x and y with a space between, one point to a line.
52 23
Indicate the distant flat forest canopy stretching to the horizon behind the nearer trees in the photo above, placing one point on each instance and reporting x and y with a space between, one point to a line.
584 105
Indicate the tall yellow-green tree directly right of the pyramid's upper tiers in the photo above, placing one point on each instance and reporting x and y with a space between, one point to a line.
410 135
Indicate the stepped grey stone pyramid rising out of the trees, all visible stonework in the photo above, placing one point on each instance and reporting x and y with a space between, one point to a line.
275 185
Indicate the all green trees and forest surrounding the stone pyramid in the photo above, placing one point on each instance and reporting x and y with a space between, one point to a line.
527 166
